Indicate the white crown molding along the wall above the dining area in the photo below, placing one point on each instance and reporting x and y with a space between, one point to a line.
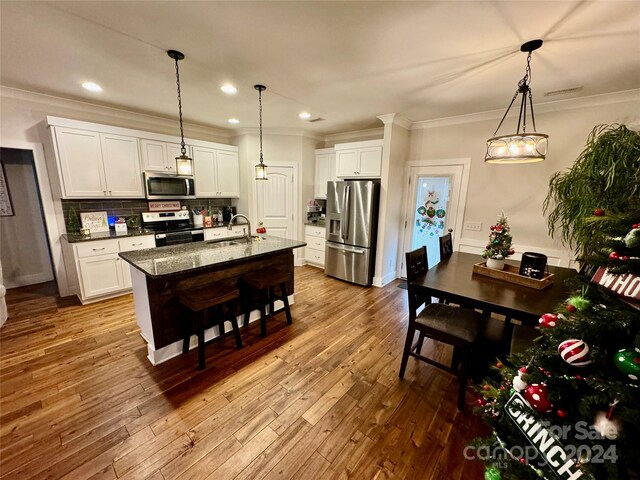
555 106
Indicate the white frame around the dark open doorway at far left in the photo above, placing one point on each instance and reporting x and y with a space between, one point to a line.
53 214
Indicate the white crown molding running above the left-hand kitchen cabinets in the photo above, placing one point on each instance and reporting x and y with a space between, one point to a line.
195 130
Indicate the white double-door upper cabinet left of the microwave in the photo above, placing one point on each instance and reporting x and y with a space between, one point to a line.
97 165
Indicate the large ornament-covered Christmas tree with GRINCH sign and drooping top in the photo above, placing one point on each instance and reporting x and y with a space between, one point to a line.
569 407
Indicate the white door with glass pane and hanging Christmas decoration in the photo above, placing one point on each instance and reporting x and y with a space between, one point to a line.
433 201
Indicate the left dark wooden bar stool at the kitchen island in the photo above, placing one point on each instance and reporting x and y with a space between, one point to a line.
214 296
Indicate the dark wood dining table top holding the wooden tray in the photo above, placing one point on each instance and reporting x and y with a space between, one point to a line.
453 279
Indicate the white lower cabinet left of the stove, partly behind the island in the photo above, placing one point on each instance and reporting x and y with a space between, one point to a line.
101 271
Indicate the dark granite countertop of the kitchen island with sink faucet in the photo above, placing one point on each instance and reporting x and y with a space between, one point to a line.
187 257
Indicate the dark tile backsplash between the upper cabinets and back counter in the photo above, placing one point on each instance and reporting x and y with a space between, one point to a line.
133 208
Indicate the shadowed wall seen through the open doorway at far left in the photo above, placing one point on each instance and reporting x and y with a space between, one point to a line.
23 244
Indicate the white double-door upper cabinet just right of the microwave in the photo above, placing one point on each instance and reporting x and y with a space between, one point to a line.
216 172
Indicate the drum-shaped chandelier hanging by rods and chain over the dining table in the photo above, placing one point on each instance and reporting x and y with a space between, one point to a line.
519 147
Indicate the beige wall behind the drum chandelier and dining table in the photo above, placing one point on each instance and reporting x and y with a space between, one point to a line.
519 189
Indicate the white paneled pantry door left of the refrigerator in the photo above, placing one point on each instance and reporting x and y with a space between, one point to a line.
275 202
